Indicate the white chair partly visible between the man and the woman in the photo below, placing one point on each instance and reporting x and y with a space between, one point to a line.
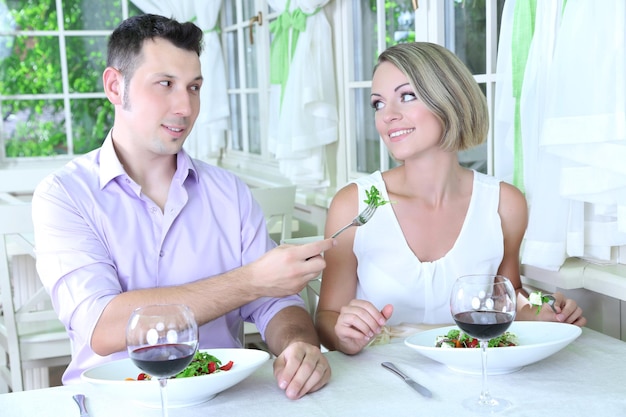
278 204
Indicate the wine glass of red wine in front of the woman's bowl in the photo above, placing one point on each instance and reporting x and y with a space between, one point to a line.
483 306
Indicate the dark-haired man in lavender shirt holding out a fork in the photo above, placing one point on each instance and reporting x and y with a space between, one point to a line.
139 222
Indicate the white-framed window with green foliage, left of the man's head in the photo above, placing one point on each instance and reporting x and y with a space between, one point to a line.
52 54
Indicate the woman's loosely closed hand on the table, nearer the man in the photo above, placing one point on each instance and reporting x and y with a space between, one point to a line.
358 323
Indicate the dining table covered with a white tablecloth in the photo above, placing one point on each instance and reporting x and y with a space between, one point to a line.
585 378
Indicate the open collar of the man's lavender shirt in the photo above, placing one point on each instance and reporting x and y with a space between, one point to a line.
111 167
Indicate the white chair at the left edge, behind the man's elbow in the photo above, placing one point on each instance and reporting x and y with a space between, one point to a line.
32 338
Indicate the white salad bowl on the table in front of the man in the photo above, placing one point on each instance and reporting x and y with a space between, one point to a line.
110 378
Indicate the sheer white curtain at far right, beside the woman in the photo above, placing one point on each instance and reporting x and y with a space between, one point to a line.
574 133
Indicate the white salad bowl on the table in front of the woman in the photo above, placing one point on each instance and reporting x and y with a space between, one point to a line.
536 341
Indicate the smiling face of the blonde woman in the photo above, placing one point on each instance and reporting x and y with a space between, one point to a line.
406 125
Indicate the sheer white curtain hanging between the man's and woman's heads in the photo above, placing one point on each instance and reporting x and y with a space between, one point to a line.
304 115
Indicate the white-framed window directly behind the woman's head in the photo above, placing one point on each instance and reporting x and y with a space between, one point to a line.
467 27
